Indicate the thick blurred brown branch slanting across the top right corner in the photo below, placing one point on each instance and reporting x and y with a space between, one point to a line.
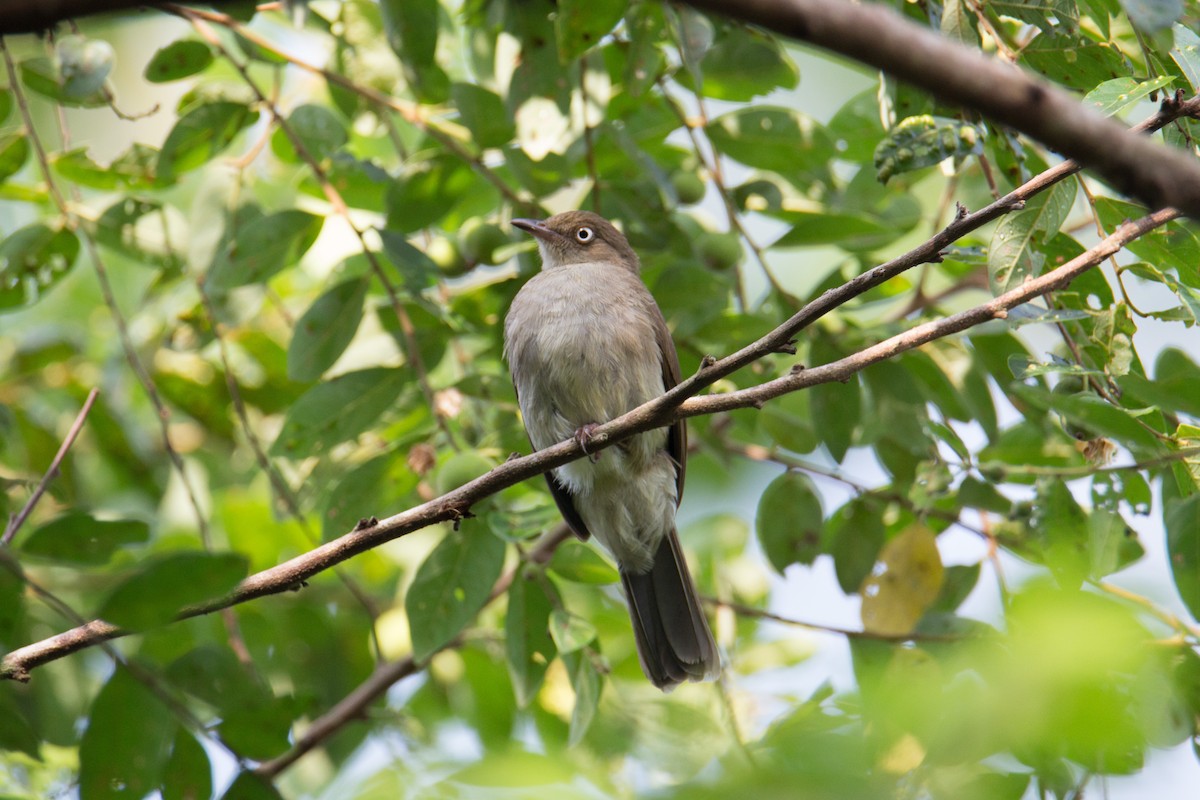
875 35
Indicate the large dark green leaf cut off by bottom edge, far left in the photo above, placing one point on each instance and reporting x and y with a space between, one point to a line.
127 747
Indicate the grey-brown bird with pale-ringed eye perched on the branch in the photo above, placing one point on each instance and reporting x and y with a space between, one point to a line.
586 344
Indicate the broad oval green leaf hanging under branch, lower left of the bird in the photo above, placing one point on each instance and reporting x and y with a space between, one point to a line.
451 587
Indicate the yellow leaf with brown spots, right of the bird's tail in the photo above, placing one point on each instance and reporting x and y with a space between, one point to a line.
905 582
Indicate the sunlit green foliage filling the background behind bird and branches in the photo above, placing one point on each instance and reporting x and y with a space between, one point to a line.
279 249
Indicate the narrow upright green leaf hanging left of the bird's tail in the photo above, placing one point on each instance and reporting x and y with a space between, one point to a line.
527 635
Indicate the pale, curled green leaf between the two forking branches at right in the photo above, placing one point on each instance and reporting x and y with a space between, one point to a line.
1016 254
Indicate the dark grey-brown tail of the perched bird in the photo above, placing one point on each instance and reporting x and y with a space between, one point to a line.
674 641
